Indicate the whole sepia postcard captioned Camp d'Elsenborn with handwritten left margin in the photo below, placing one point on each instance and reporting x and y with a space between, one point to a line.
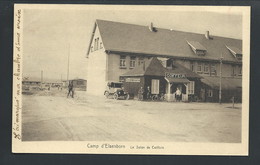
131 79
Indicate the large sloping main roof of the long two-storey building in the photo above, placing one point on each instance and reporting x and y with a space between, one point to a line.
122 37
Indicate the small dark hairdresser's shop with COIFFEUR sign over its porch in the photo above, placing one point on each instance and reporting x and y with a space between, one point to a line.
176 84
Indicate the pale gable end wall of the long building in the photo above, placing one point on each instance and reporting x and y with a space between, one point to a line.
97 68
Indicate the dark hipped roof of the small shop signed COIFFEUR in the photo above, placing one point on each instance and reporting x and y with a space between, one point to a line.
153 67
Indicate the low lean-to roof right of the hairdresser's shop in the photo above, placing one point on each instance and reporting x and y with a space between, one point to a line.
226 83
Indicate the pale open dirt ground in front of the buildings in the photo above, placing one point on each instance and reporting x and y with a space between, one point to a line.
51 116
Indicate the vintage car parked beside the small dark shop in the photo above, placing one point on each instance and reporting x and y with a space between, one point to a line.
116 90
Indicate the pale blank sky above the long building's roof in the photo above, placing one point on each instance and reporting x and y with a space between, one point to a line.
51 35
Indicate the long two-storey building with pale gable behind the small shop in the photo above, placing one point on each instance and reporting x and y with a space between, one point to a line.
117 48
